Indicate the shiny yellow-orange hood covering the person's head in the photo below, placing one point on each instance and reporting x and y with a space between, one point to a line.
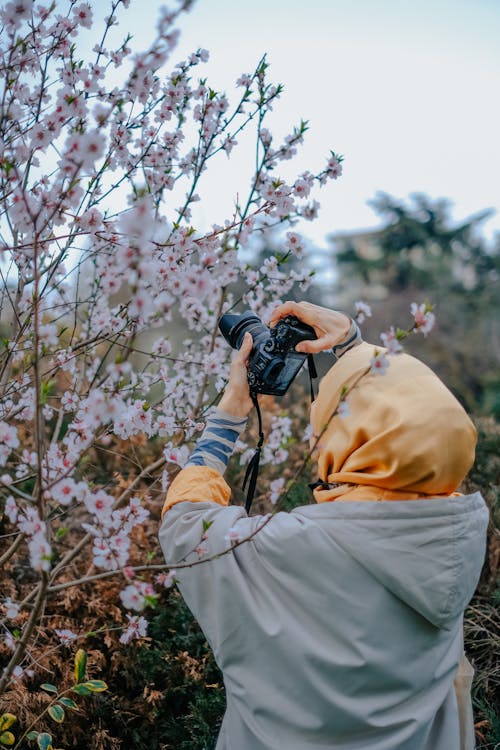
406 435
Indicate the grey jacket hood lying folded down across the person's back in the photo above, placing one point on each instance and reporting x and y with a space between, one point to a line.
428 553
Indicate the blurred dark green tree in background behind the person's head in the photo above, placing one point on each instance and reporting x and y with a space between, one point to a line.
419 253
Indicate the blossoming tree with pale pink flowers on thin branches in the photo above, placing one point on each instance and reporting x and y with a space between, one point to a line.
101 161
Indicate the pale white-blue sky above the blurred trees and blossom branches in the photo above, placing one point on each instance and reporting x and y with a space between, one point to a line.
407 91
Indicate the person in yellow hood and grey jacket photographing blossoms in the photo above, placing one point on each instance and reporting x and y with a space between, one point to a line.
338 624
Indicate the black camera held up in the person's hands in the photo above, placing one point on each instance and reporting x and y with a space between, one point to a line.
273 361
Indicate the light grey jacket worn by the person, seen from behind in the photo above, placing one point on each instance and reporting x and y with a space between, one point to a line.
337 625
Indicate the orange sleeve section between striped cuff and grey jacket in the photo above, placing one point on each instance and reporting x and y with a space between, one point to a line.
197 484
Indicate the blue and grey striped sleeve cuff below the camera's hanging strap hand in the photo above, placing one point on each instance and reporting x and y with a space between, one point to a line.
215 446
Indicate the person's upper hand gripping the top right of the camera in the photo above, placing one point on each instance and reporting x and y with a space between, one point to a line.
331 327
